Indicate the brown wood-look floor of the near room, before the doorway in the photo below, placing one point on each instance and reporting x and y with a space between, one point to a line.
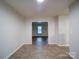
41 52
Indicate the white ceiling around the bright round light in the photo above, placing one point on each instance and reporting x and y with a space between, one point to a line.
30 8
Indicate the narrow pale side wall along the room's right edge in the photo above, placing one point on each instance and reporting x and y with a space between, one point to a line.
74 29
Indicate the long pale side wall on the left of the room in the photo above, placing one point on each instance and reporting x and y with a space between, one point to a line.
11 31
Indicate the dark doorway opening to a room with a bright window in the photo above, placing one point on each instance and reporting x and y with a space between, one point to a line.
40 33
